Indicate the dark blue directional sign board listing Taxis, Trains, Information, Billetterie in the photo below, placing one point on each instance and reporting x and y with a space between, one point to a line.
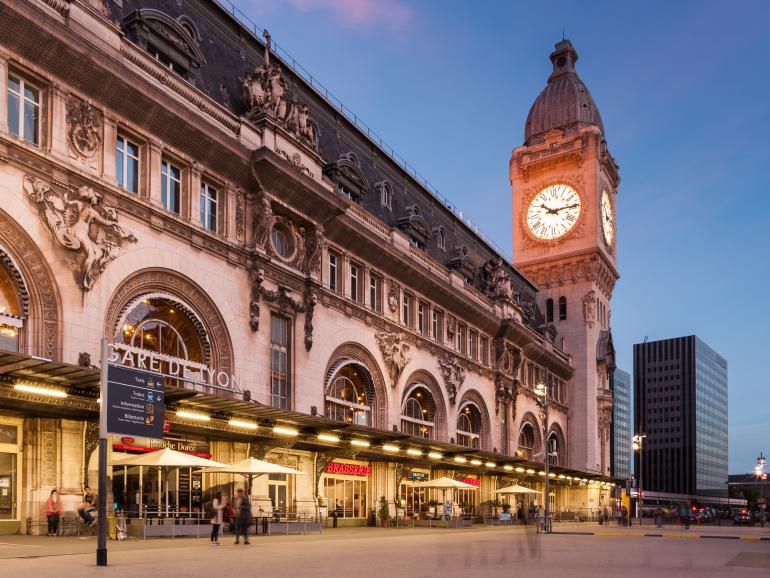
135 402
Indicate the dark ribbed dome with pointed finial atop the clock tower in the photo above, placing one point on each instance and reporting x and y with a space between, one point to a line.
565 102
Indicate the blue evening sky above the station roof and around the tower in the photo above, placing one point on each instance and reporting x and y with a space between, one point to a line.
684 92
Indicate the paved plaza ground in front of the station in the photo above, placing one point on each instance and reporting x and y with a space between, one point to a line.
376 552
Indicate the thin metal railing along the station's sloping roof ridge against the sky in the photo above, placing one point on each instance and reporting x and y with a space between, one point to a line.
335 102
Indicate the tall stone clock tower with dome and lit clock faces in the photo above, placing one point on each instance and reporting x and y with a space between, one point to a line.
564 183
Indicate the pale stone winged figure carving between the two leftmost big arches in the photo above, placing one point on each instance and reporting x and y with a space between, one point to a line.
81 223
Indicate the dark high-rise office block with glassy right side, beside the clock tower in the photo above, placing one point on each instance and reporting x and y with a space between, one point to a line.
680 395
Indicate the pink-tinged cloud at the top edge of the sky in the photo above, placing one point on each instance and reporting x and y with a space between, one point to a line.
388 13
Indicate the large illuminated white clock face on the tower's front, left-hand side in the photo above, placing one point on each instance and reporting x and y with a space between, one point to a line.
553 212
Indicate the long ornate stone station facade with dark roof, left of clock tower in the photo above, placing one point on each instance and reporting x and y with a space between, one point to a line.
171 184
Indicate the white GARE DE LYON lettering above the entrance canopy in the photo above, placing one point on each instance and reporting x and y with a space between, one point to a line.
173 367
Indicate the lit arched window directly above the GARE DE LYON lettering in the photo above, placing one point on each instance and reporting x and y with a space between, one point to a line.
166 326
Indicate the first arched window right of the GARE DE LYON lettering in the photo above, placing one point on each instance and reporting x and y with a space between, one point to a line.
350 396
